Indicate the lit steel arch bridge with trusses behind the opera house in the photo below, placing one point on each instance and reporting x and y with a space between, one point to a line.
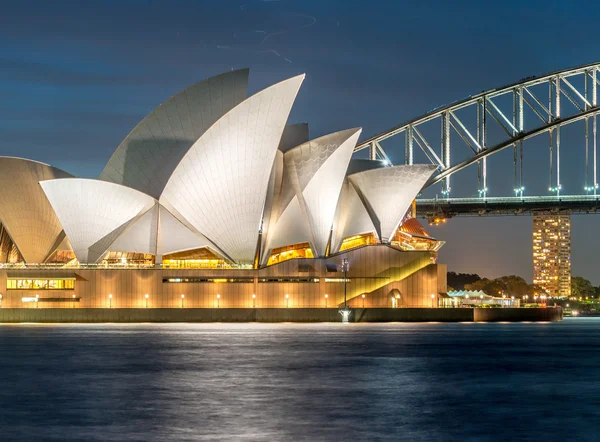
492 121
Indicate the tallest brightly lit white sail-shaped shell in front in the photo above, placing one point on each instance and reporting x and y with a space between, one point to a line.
220 185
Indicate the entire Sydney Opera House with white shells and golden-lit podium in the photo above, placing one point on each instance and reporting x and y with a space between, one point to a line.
214 200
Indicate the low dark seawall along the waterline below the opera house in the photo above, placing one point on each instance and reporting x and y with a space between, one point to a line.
133 315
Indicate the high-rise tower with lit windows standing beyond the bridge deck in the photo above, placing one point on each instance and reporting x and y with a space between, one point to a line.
552 253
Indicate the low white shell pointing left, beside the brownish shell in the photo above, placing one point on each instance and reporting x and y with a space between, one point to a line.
94 213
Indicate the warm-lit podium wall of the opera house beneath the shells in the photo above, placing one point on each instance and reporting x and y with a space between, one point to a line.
371 268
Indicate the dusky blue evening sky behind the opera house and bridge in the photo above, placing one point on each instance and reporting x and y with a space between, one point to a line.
76 77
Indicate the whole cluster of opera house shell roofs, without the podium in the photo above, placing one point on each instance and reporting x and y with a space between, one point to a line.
210 168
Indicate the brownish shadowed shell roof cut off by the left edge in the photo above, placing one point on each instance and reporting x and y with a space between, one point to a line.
24 209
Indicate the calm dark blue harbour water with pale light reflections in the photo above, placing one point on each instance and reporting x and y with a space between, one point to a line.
287 382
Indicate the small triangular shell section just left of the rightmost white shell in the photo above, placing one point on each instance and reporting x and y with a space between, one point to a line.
351 218
